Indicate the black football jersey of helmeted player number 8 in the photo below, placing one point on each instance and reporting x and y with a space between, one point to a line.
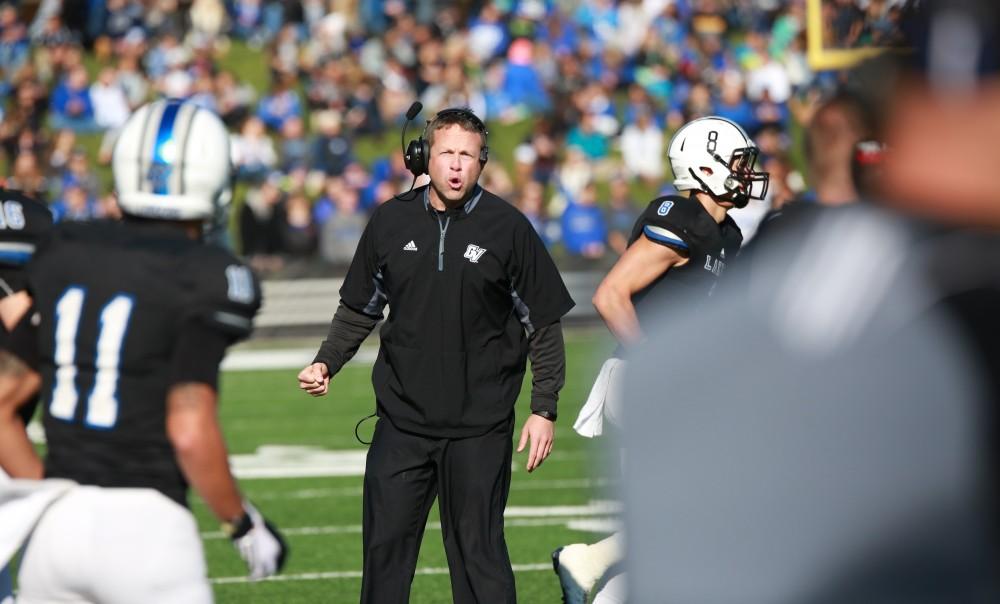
684 224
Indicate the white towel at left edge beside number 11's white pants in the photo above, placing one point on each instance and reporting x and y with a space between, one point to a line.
22 503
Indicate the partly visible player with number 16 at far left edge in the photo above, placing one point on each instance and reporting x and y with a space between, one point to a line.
23 222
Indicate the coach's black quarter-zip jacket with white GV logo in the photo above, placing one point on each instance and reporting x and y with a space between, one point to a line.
463 288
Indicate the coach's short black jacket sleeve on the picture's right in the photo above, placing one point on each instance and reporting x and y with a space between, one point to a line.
540 297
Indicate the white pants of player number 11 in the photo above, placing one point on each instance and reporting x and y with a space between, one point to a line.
114 546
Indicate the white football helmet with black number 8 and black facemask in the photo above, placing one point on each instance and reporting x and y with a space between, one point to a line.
726 151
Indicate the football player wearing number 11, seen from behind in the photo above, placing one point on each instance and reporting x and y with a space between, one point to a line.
135 317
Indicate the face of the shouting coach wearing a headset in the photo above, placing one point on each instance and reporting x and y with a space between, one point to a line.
454 165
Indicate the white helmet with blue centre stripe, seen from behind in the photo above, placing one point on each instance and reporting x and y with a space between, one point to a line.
171 162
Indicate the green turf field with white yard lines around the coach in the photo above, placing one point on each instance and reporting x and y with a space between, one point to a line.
565 501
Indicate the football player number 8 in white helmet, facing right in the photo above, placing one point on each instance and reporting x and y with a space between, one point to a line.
678 249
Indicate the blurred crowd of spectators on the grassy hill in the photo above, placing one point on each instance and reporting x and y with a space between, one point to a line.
602 83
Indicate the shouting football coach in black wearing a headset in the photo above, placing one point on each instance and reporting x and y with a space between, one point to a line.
472 294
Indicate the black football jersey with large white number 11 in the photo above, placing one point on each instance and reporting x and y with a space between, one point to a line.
115 300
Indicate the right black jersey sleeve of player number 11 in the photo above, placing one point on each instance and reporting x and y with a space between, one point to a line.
223 295
